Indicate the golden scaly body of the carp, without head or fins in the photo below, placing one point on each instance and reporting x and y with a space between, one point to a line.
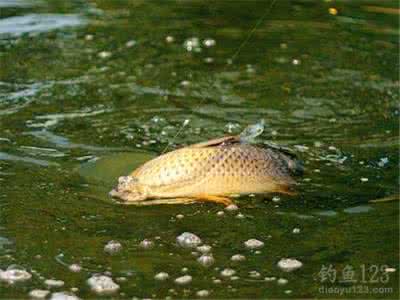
222 170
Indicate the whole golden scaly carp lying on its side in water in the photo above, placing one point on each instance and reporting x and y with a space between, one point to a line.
211 171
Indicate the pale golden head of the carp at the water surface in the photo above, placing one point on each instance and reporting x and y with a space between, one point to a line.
130 190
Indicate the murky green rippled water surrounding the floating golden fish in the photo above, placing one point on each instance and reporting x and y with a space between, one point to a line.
88 90
